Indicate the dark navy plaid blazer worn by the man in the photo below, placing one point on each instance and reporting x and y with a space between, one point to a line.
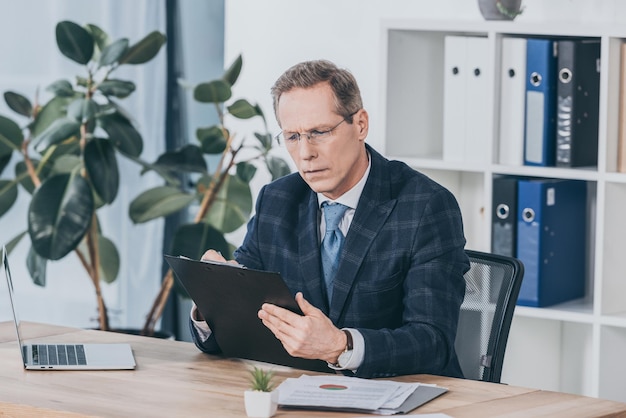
400 278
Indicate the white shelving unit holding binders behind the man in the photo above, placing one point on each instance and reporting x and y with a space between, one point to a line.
575 347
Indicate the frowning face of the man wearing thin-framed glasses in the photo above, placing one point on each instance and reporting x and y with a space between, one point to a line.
336 164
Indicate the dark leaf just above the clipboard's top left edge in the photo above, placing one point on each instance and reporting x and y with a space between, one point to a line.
192 240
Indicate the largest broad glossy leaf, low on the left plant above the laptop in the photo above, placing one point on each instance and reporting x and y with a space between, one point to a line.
59 215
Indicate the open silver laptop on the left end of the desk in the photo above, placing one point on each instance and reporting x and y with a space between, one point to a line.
62 356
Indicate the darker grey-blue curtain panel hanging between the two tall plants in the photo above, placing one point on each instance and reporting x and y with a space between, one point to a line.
195 53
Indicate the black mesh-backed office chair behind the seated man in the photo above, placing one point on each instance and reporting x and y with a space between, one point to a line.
492 286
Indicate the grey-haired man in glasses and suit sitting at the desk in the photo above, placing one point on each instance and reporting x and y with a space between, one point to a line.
391 305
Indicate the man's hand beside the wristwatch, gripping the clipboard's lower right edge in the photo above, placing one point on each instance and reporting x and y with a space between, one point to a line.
312 336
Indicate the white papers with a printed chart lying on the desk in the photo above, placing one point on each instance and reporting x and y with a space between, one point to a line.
343 392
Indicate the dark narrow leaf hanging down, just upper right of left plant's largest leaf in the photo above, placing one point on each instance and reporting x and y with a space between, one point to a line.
102 169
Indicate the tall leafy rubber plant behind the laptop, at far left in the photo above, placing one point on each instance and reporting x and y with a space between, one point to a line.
68 149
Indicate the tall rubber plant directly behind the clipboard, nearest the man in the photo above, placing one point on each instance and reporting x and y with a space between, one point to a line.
222 194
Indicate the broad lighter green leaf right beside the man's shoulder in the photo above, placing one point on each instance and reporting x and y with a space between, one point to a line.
232 207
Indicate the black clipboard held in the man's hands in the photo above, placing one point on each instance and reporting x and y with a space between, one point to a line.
229 297
